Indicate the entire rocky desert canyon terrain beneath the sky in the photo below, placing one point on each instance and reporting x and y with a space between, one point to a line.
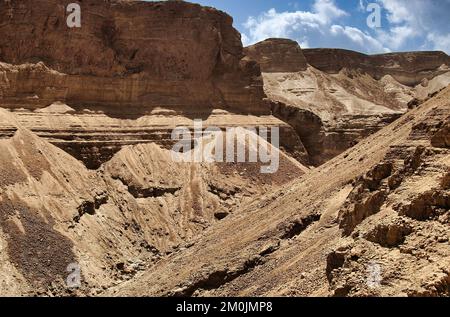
88 180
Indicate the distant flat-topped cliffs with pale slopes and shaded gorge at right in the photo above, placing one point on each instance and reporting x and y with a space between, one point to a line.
335 98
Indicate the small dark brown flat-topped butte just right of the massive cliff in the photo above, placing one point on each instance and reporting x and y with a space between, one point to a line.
278 55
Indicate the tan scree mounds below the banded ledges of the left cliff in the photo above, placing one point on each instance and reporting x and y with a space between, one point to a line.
111 223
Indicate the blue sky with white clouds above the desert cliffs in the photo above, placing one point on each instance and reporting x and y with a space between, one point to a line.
406 25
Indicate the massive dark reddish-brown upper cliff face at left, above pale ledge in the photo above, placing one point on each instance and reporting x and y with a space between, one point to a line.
147 54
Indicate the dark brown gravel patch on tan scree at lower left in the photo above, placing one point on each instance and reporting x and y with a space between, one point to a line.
37 250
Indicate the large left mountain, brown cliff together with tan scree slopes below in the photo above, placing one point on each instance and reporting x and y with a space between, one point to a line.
110 95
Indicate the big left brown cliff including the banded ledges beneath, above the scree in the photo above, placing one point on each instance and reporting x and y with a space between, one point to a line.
130 74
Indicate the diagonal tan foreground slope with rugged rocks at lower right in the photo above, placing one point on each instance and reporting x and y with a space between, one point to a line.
371 222
